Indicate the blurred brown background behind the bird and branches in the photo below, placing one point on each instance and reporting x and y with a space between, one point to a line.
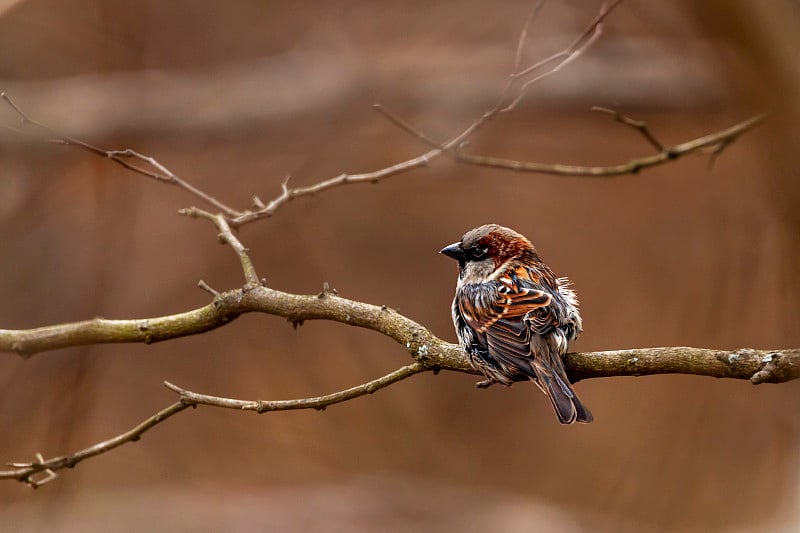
235 96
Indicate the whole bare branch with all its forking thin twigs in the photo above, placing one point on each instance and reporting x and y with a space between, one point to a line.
429 352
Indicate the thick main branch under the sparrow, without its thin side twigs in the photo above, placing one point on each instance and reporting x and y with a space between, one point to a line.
420 342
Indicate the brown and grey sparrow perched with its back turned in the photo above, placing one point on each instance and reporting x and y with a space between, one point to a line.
514 317
